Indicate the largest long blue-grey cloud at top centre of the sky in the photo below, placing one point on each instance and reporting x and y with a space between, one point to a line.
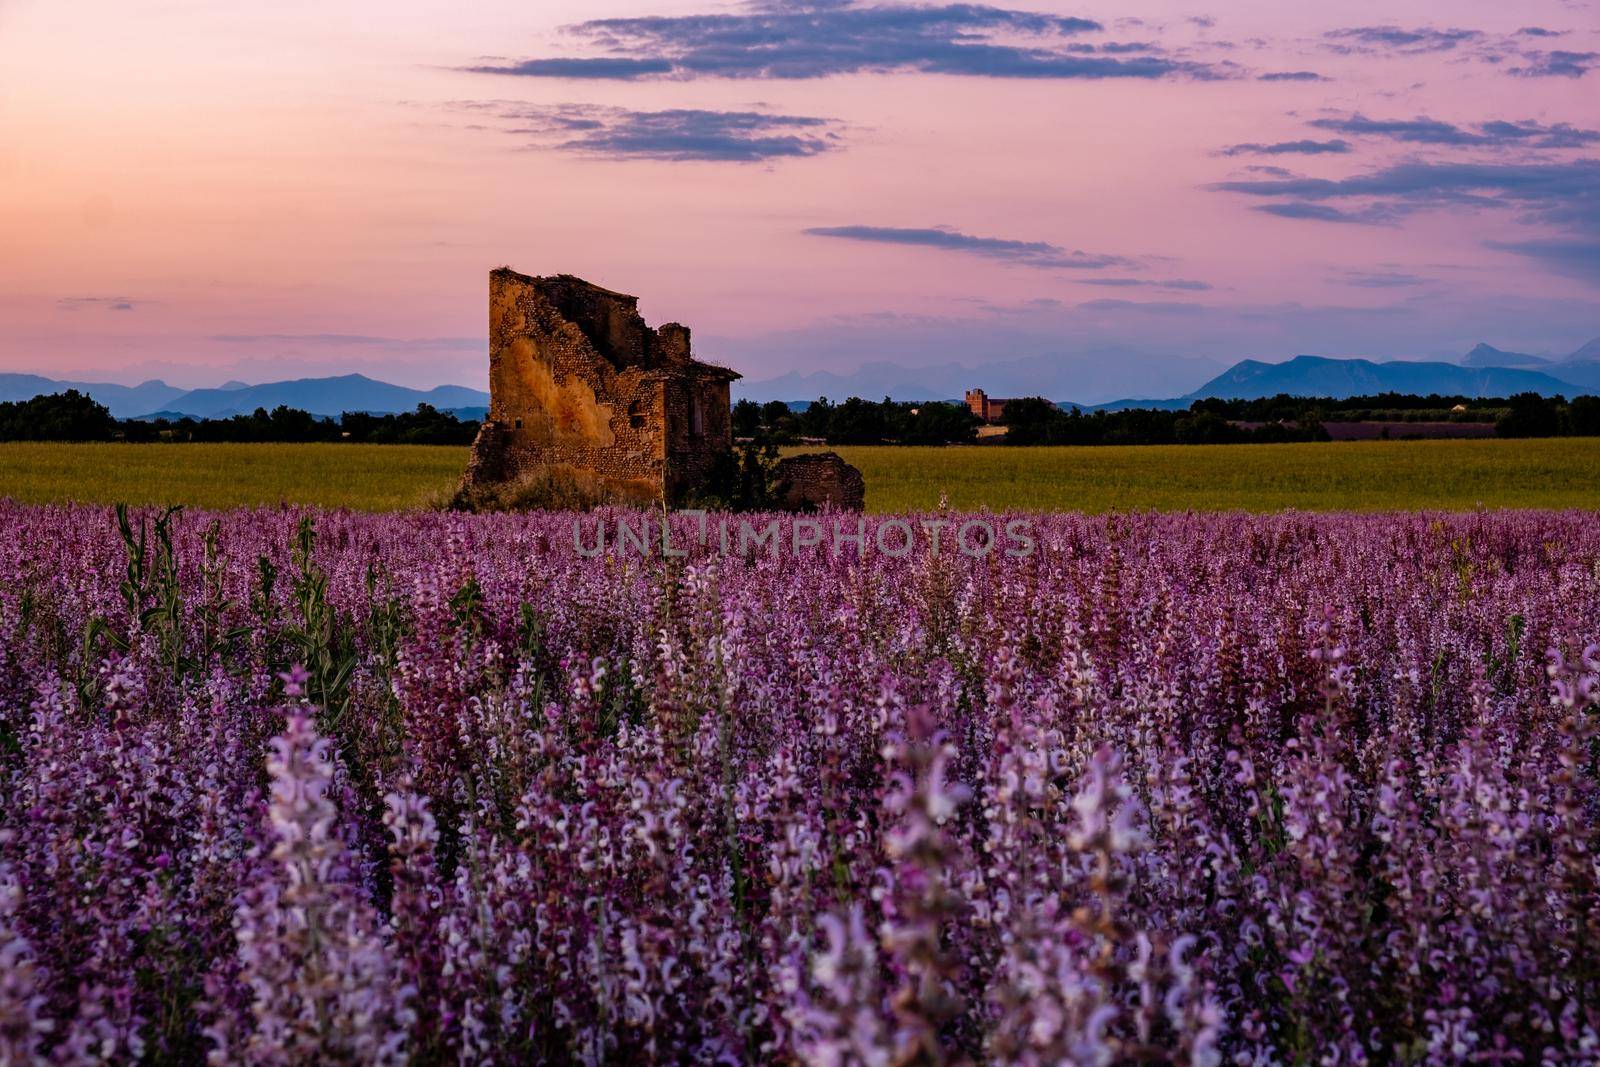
830 38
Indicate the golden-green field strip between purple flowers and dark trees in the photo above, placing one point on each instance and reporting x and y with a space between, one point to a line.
1348 476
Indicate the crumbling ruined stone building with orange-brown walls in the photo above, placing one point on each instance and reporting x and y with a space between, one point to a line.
580 382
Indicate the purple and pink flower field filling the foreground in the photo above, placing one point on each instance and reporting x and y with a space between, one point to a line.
294 788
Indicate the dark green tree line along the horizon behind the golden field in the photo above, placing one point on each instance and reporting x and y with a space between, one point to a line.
74 417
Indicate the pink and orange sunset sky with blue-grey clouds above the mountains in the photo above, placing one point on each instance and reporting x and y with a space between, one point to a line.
206 191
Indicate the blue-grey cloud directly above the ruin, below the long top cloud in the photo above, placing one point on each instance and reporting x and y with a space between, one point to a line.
681 135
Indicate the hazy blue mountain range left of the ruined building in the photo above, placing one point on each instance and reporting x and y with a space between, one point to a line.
319 396
